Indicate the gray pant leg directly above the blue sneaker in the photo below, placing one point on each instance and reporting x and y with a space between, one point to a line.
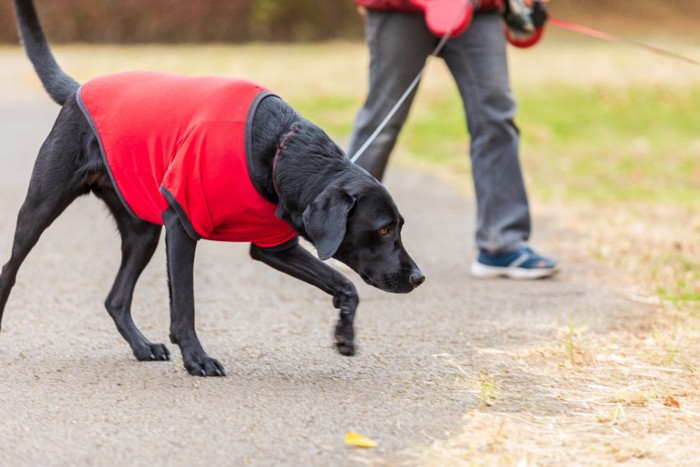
477 60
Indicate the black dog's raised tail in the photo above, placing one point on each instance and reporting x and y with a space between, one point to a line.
57 83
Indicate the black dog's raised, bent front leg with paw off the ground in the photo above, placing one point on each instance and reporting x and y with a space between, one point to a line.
299 263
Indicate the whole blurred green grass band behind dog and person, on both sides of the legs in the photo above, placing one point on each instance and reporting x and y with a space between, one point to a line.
600 144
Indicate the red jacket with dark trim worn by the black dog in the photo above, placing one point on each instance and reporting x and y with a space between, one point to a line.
182 141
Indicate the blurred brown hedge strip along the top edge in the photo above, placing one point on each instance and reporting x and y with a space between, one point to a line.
171 21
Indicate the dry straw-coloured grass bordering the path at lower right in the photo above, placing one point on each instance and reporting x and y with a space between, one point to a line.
629 396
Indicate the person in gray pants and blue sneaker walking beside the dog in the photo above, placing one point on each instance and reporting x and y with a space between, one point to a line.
399 43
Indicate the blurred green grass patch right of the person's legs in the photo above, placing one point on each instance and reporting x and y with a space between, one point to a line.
613 144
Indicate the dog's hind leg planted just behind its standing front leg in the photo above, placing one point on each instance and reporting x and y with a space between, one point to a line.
139 242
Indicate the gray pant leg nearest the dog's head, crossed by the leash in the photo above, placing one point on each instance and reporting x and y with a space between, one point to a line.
398 45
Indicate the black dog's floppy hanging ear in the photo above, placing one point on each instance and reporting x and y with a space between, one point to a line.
325 220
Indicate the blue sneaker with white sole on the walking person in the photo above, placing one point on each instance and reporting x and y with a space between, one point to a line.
522 263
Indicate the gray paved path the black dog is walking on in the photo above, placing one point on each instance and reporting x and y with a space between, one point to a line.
71 393
